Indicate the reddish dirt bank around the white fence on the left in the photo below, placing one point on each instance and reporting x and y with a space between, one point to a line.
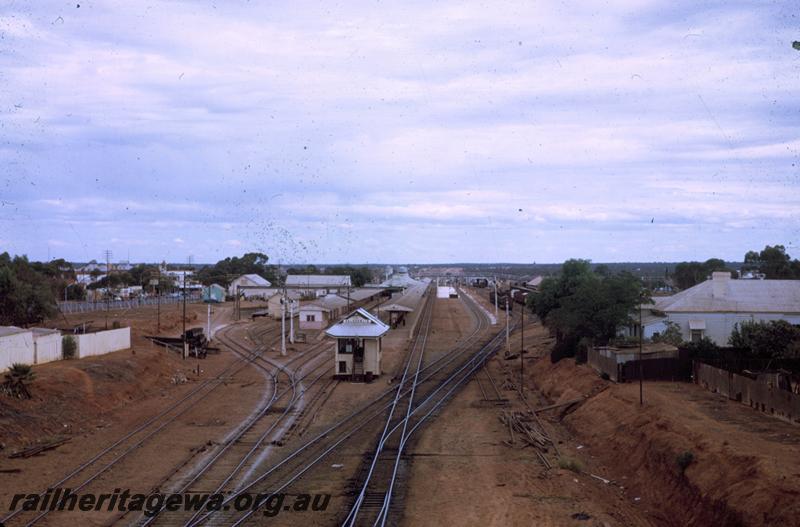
72 396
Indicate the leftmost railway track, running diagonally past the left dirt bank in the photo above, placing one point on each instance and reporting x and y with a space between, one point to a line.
90 471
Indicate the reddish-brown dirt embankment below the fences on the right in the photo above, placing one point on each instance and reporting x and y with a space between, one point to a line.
745 466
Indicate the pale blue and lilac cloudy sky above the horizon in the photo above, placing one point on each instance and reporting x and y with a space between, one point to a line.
399 132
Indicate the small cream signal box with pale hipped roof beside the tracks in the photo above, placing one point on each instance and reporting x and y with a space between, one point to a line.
358 345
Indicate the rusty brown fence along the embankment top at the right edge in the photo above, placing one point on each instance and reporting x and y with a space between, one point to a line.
758 395
